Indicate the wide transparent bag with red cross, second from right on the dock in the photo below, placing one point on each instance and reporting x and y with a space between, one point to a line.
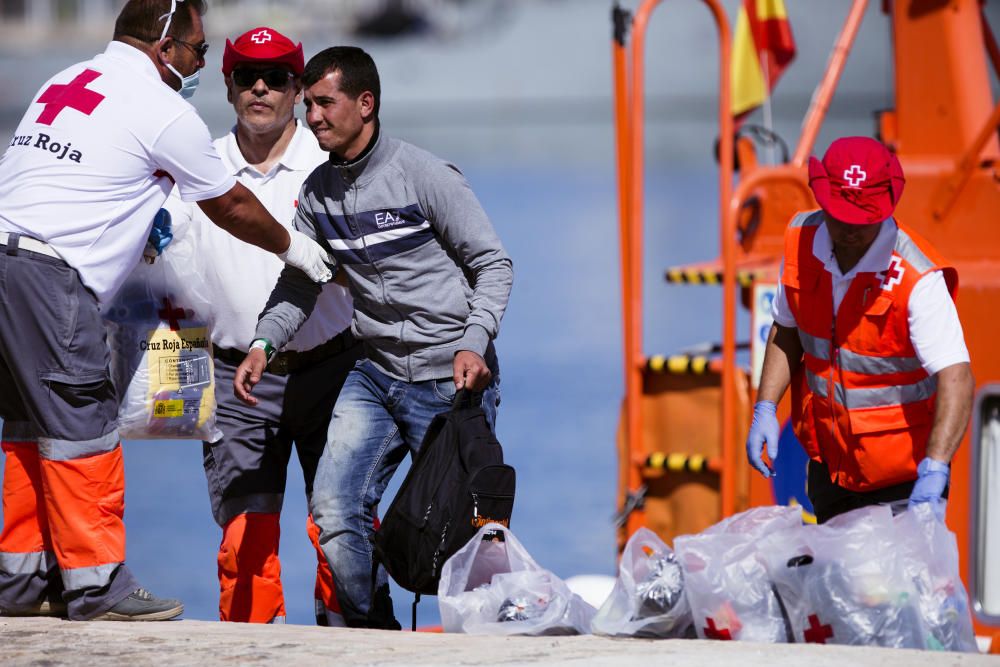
842 582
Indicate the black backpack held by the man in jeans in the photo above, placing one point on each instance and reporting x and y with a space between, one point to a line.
457 484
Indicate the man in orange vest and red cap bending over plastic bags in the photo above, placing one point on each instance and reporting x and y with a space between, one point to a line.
867 334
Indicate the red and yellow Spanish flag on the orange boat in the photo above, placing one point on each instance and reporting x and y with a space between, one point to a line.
762 49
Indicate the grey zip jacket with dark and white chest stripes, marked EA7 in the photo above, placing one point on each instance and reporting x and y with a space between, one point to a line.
427 272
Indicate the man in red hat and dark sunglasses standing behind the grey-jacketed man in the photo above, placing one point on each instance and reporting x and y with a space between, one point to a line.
271 153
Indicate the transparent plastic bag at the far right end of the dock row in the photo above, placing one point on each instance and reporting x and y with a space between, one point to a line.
928 553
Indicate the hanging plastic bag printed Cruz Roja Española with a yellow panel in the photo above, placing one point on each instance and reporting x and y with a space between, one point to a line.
161 355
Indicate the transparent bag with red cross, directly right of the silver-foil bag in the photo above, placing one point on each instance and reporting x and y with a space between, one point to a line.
727 586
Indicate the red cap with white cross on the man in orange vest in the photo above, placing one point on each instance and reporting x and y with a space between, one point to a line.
858 182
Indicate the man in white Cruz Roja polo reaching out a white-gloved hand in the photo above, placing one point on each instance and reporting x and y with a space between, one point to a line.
93 159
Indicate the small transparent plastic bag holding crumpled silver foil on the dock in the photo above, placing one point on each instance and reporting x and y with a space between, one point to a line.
648 598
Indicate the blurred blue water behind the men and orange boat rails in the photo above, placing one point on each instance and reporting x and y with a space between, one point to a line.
560 355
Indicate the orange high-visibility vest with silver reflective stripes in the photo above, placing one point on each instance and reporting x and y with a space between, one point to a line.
861 402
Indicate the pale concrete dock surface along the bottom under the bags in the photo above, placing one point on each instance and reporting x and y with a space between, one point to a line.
47 641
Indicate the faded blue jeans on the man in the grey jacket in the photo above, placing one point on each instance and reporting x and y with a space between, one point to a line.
377 421
